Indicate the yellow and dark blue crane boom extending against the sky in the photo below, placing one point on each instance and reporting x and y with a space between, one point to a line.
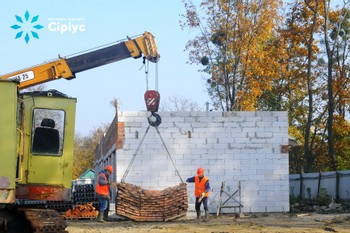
67 67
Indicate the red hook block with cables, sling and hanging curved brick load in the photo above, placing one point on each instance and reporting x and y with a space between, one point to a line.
138 204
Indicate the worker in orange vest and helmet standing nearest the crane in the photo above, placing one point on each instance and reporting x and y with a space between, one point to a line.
103 192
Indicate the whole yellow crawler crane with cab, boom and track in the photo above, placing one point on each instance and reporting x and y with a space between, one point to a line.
37 134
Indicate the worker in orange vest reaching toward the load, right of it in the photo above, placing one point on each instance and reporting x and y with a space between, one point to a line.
201 192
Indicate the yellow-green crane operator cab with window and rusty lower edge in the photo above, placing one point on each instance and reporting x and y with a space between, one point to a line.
46 122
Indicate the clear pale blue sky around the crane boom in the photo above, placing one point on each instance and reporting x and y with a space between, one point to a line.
102 22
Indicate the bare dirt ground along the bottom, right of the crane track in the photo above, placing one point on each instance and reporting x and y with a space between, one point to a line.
247 223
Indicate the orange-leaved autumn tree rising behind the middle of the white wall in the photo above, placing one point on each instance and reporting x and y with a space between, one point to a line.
235 43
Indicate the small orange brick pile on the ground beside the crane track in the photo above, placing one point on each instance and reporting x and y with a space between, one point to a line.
84 211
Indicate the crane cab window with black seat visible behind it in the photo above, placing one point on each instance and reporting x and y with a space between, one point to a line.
47 132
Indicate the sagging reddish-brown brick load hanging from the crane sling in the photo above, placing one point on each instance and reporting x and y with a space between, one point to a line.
141 205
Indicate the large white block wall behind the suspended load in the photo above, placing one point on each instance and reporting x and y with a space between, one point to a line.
232 147
